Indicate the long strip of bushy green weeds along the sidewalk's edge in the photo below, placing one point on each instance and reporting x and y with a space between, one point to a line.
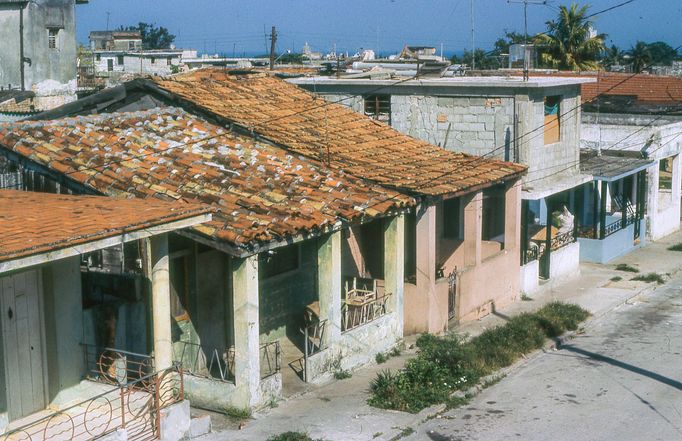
447 364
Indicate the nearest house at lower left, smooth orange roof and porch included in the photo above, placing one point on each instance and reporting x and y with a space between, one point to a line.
56 358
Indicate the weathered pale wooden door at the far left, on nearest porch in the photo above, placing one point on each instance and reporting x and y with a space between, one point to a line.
23 343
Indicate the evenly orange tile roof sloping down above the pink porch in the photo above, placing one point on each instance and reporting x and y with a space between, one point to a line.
304 123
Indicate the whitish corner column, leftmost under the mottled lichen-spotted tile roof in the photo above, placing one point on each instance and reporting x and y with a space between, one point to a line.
246 330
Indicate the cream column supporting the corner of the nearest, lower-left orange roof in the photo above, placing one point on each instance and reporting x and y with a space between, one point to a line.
161 313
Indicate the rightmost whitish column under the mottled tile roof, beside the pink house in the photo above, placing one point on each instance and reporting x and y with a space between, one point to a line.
394 266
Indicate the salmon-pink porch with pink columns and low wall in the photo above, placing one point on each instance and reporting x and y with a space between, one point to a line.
459 260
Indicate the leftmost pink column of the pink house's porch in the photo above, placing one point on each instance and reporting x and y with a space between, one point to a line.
426 264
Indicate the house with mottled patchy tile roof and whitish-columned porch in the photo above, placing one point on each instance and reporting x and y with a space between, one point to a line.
297 276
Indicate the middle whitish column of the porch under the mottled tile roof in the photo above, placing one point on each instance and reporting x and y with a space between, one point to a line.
329 284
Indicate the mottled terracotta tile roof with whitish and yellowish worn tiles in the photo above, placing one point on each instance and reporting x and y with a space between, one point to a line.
264 193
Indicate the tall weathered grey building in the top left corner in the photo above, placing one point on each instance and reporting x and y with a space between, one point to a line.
38 53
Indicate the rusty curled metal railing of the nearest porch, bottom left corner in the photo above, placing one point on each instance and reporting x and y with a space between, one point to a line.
134 407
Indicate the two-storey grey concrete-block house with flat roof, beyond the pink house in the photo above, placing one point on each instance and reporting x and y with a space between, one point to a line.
535 123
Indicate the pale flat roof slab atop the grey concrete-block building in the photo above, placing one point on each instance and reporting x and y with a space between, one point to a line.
476 81
